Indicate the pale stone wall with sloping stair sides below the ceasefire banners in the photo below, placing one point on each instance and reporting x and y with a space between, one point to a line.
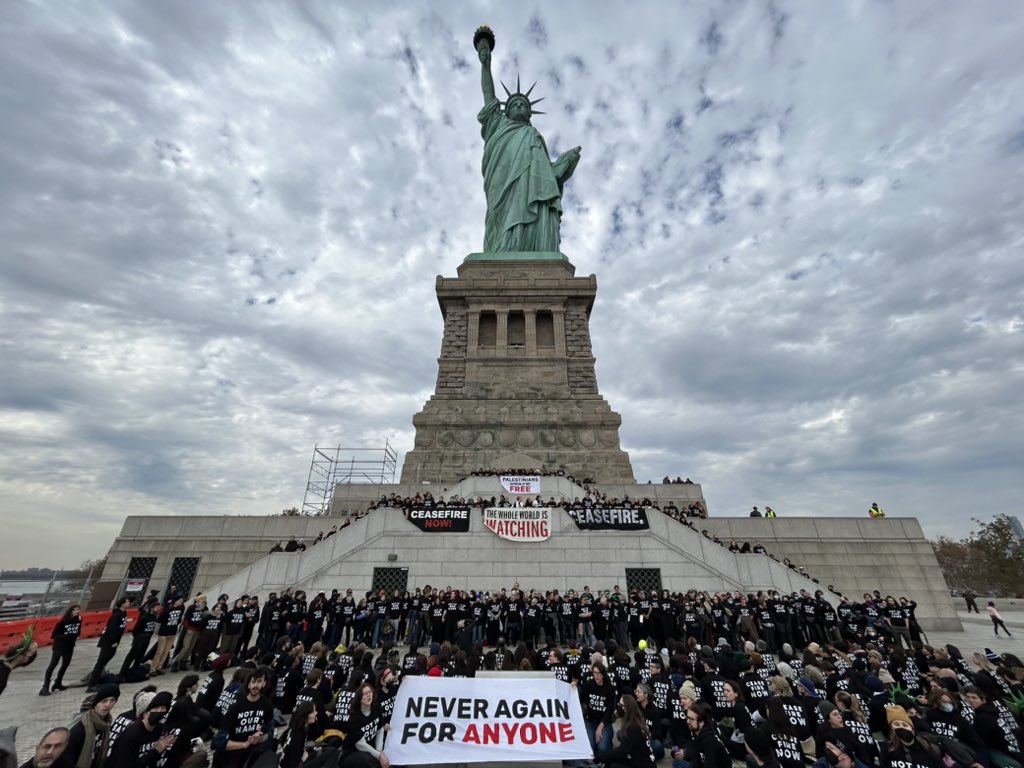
570 560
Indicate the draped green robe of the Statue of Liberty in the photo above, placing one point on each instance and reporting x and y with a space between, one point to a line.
524 197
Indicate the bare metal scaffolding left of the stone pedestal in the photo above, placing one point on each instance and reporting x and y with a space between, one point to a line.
360 466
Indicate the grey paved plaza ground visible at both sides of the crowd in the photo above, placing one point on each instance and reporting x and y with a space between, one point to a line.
21 705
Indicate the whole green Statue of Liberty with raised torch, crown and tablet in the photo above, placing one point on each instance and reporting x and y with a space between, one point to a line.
523 187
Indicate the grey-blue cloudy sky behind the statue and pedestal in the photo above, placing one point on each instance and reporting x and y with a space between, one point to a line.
222 225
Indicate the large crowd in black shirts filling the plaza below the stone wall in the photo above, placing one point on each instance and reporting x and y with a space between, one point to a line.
702 679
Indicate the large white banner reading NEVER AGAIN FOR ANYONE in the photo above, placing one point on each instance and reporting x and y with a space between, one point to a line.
478 720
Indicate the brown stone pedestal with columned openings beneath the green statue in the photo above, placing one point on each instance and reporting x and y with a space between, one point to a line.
517 376
